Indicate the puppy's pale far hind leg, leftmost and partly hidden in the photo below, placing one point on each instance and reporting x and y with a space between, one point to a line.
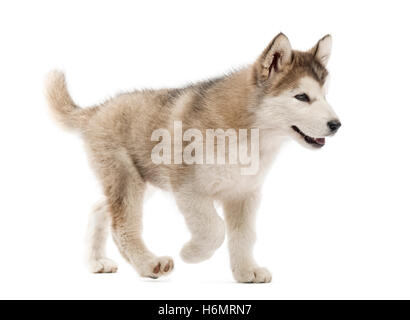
97 233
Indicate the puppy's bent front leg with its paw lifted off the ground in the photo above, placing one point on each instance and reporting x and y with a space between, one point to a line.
206 227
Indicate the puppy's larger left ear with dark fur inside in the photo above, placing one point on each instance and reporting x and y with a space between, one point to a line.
274 58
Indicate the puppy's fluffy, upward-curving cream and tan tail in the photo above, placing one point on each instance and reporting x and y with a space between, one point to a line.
67 113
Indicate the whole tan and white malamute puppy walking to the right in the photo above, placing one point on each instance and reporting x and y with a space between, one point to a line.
281 95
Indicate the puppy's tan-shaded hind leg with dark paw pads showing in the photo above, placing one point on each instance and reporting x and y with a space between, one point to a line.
124 189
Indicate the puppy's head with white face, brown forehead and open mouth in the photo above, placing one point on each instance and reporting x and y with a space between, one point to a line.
292 86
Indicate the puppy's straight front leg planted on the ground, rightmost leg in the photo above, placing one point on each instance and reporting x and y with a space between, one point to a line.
240 220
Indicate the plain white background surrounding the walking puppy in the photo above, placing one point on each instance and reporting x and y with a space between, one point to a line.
333 223
